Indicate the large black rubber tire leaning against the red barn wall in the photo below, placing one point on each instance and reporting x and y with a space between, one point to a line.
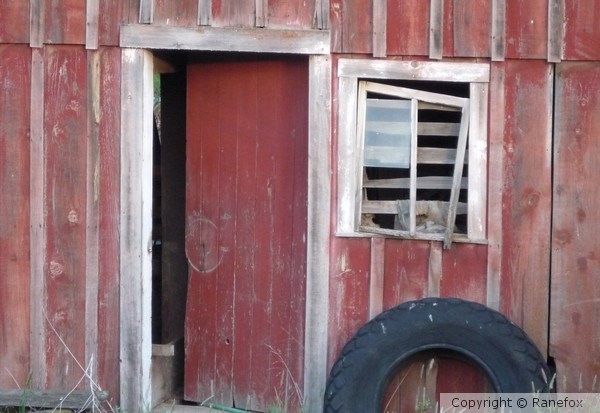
475 333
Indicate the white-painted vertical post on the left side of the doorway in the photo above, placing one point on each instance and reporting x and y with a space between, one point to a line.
136 229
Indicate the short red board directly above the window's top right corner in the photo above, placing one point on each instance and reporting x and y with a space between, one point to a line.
472 27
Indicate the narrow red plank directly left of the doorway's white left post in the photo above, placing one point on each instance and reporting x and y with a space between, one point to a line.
106 189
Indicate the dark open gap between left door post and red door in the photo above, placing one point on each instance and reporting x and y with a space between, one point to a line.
169 265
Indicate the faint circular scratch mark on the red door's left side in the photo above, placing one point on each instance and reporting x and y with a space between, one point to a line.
202 244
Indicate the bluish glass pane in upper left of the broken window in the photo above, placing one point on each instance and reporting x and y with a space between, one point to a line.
387 133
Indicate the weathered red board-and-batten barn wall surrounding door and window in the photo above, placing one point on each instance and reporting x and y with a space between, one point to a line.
59 170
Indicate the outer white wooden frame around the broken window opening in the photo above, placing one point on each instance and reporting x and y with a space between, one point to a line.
349 163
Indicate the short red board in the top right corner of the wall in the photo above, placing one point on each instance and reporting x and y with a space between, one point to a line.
581 30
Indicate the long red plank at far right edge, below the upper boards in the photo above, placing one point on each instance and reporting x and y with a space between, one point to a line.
575 244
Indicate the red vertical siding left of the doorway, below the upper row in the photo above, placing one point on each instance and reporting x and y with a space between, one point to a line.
73 123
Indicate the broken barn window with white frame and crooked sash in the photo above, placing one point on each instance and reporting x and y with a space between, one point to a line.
412 150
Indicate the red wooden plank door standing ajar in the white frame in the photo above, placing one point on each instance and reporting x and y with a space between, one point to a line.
246 194
